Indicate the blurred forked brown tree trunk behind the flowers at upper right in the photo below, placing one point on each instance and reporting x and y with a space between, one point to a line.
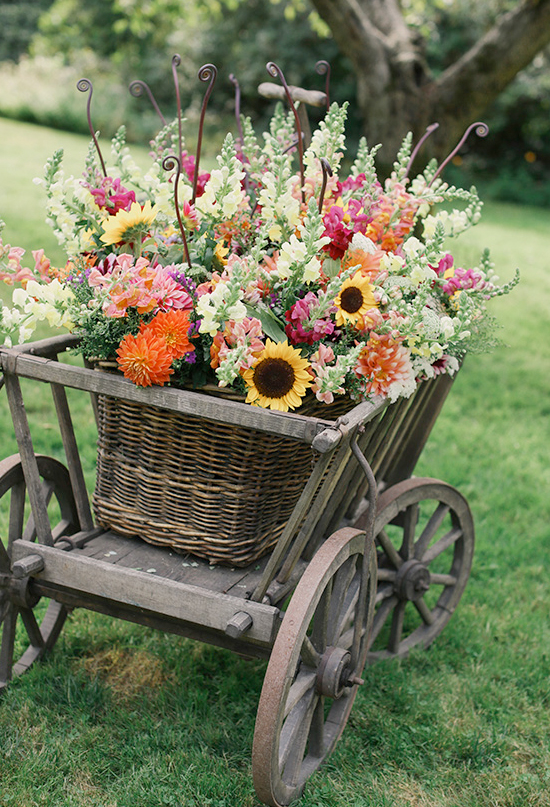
396 92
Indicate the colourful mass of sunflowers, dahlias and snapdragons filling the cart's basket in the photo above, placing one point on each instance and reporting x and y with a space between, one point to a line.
281 271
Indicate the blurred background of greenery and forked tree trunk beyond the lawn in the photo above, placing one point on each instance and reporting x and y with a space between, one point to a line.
422 61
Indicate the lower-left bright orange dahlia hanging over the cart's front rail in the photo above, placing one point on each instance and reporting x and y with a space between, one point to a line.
144 359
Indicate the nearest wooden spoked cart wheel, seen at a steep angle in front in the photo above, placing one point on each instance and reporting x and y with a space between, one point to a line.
314 668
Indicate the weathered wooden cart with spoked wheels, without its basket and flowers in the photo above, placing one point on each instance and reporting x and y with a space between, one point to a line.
360 570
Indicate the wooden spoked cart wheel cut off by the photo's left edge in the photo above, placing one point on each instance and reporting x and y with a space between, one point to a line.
29 625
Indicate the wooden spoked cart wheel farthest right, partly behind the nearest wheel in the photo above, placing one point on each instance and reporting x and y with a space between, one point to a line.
425 543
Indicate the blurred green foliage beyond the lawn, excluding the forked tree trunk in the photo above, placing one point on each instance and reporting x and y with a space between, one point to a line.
45 47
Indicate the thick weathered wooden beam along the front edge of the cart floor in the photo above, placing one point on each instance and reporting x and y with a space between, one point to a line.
166 597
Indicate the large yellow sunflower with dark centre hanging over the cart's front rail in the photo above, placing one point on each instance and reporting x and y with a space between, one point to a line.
279 378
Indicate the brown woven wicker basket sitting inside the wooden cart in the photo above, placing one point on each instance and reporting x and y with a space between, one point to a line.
220 492
